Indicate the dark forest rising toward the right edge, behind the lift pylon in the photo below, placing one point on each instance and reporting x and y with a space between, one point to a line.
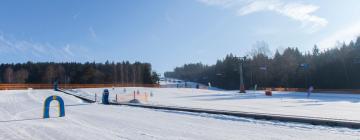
336 68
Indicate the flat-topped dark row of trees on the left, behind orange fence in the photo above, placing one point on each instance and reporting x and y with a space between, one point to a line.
78 73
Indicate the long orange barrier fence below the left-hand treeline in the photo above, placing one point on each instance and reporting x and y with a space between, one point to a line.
70 86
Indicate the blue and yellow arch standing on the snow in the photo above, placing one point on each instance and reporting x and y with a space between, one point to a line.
47 106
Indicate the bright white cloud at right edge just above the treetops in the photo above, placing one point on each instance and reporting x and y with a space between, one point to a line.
345 34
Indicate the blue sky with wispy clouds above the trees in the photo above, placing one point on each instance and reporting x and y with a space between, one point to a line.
168 33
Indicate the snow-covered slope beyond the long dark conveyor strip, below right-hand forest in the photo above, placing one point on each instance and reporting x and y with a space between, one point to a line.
335 106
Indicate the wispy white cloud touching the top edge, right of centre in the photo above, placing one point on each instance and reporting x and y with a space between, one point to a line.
303 13
